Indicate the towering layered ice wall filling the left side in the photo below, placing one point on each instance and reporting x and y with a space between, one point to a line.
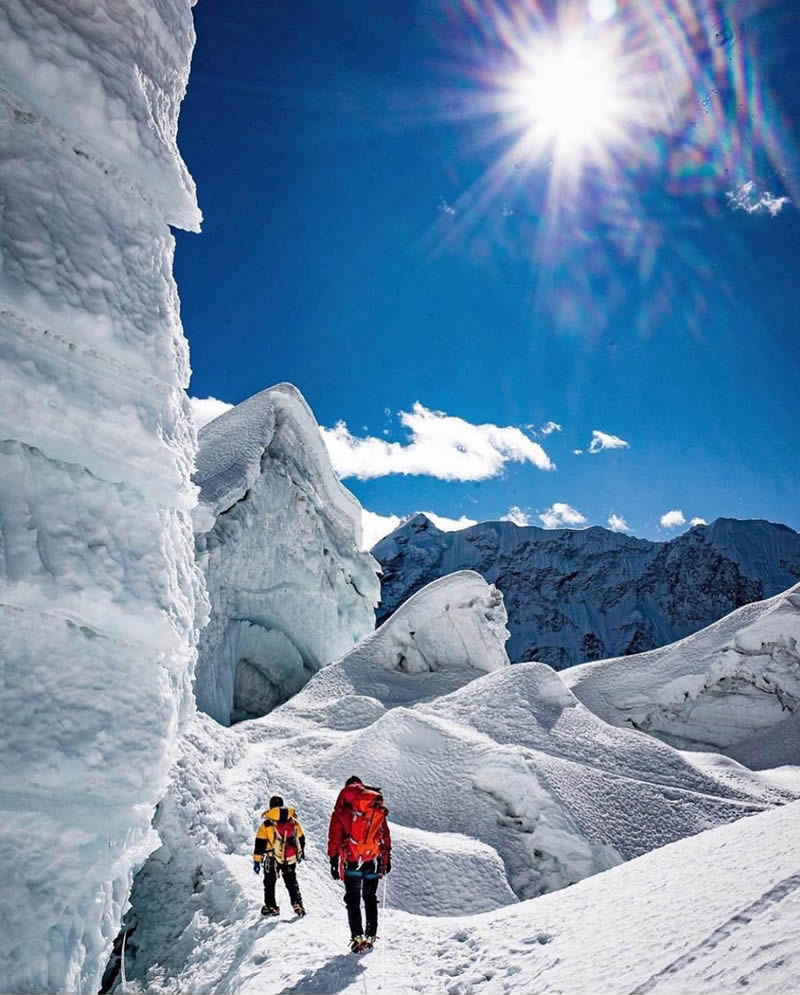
98 589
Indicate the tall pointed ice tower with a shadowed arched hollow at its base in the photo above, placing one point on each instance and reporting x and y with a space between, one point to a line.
278 538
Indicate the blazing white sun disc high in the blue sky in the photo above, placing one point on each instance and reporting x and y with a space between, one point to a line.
570 97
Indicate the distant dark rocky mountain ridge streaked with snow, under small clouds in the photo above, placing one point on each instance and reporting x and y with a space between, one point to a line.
577 595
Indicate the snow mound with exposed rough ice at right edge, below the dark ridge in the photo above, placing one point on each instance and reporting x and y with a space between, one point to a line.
731 687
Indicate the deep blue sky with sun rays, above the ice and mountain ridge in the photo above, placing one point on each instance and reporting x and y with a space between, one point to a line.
382 230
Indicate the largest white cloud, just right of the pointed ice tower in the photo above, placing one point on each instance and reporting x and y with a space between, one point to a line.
440 445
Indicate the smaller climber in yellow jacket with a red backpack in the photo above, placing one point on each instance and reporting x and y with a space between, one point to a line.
280 845
